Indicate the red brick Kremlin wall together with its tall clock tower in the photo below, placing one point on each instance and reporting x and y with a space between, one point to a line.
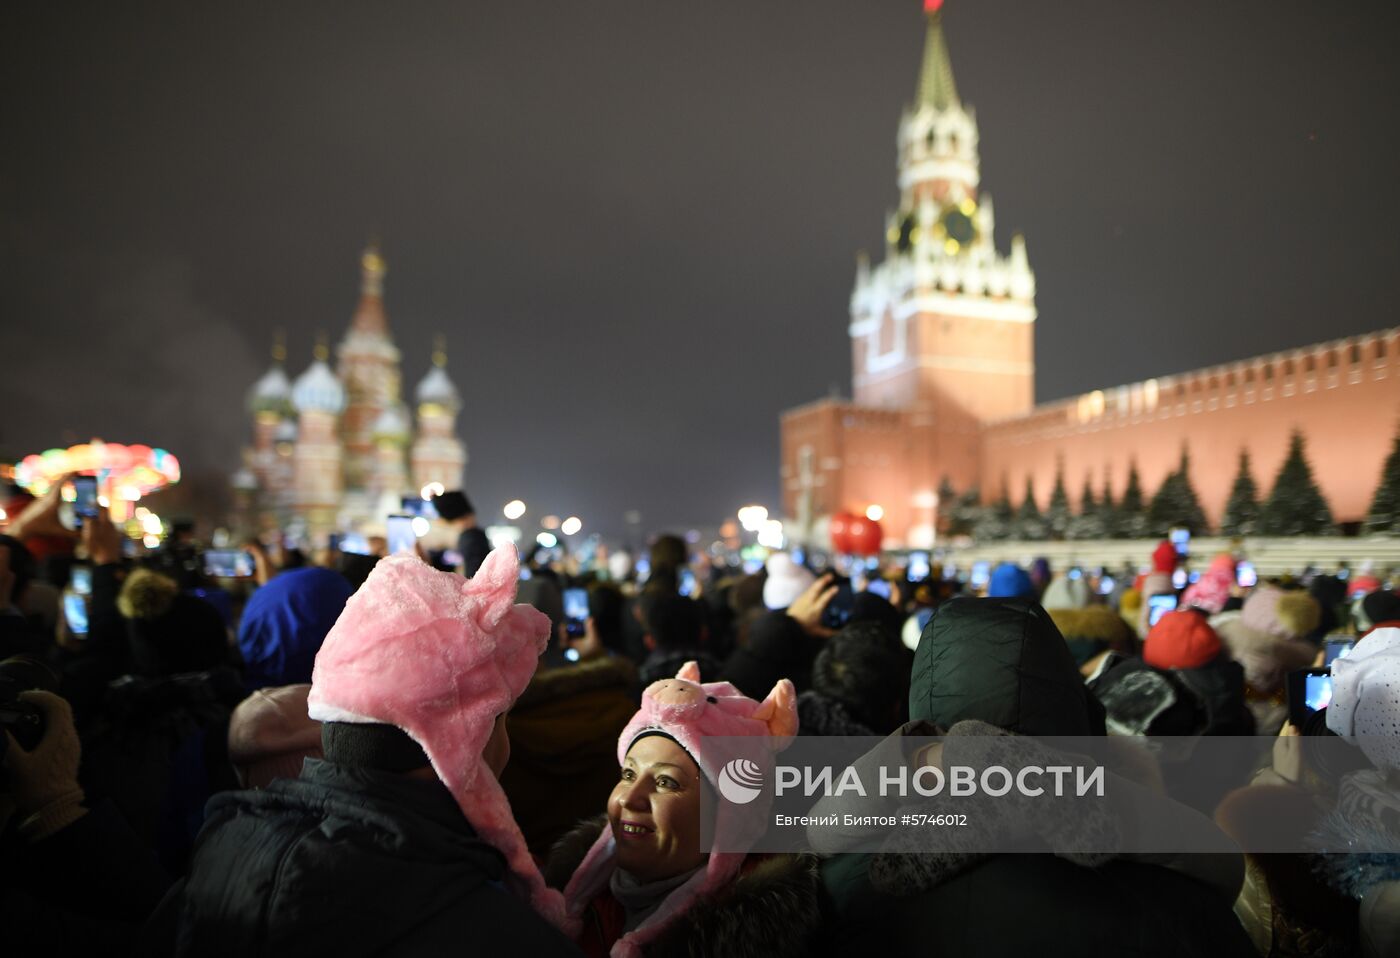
943 358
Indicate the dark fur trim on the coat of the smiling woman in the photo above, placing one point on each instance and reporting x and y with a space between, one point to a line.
773 907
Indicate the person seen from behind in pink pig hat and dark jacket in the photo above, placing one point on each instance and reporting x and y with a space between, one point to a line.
401 842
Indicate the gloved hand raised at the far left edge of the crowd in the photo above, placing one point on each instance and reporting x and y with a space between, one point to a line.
44 784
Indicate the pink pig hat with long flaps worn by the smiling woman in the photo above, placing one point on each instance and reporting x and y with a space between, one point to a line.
696 714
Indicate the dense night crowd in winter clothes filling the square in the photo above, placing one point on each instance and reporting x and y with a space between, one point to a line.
432 754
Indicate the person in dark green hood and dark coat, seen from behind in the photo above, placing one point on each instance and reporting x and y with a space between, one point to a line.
986 669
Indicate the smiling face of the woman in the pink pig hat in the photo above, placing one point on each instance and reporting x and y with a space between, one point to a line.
654 812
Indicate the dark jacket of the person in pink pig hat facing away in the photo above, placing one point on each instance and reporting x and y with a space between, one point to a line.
346 862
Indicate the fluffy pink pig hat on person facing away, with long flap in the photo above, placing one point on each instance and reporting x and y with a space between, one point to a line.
439 658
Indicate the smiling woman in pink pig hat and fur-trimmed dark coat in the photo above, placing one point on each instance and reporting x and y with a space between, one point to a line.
642 883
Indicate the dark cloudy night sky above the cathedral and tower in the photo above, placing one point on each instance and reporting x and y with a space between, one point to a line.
636 222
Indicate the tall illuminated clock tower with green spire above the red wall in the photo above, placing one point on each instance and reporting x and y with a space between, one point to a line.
946 324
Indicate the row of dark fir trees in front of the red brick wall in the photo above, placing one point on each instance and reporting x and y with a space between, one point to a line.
1294 506
